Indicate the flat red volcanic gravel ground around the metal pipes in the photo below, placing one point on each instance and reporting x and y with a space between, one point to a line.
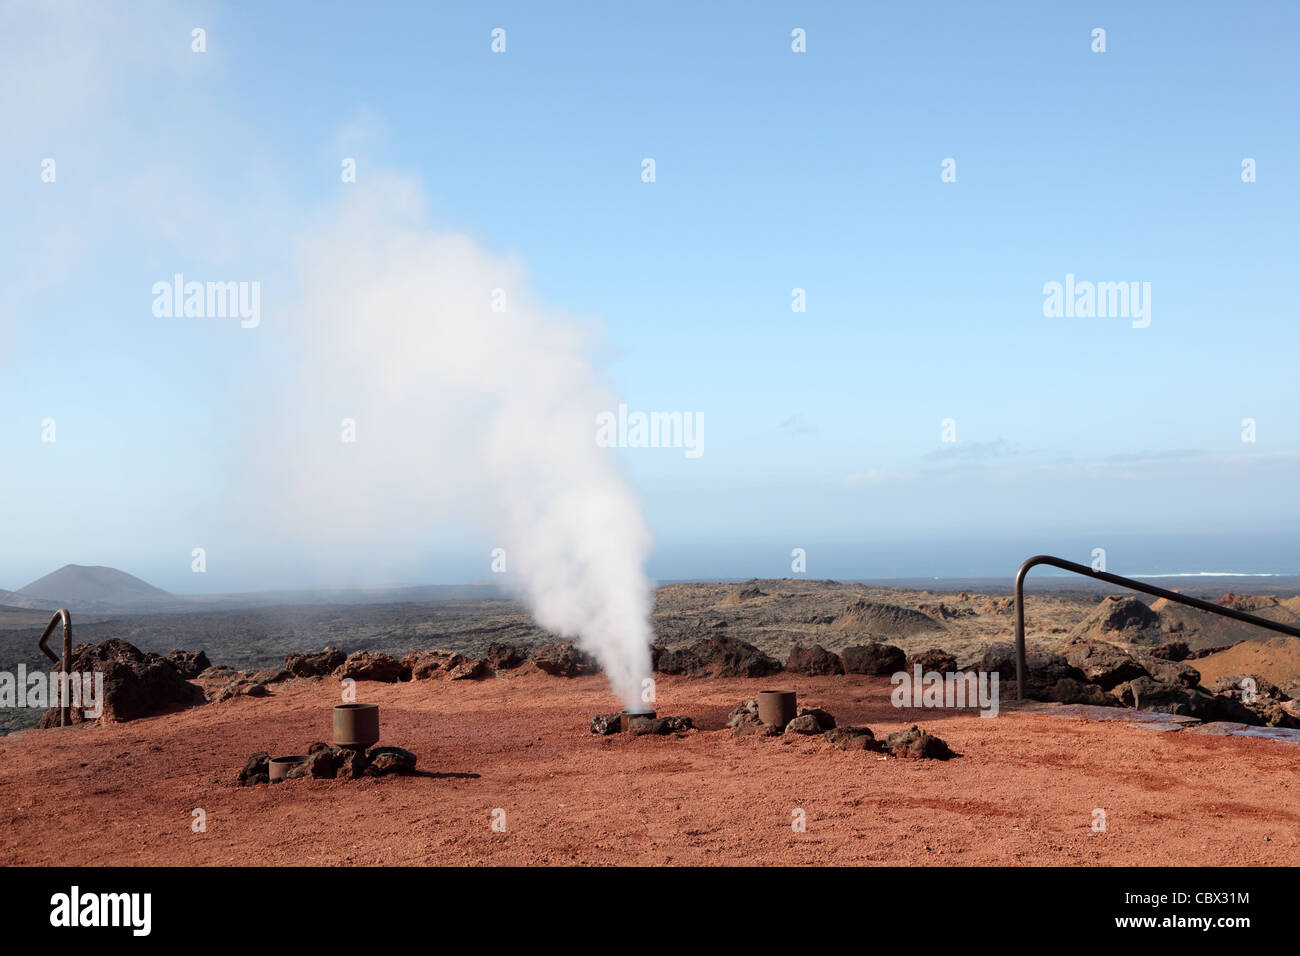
1024 791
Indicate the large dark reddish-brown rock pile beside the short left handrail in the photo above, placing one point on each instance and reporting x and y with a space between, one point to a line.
136 684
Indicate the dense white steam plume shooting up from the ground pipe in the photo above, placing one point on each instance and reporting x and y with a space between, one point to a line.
460 406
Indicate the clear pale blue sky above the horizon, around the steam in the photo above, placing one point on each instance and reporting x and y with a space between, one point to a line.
774 171
